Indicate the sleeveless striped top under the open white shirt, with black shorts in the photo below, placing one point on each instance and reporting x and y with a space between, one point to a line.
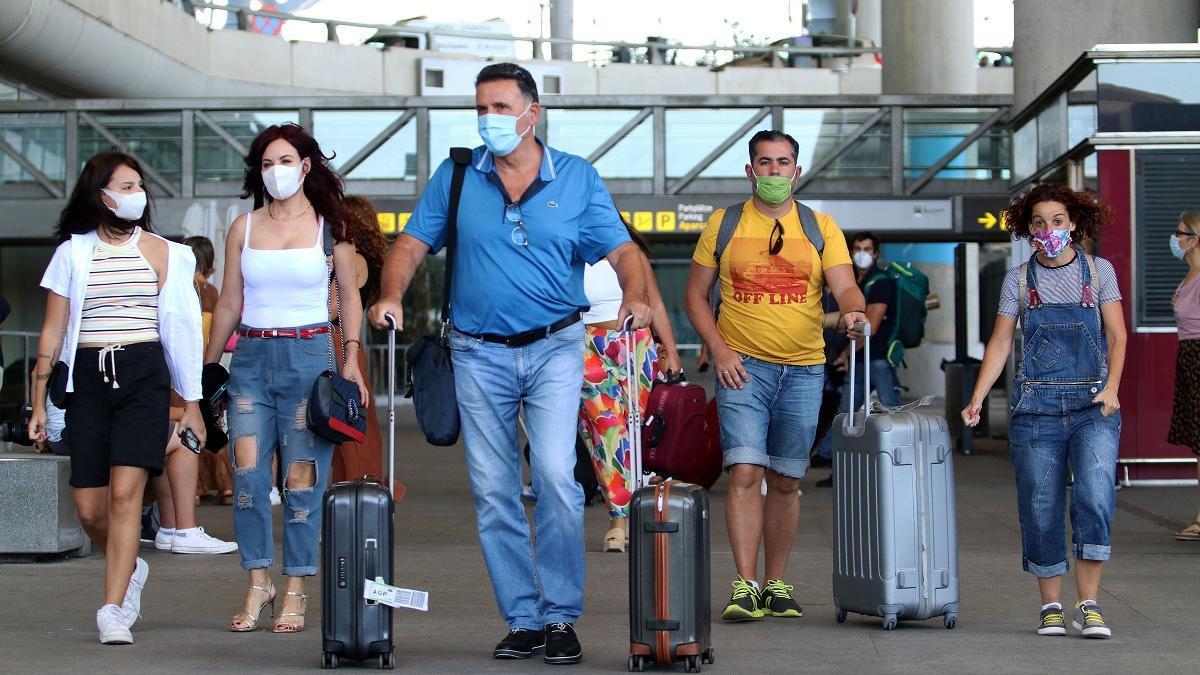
122 304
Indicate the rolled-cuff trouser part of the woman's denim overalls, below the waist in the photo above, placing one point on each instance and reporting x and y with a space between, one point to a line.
1042 444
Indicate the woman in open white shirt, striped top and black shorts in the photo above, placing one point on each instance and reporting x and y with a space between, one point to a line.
124 321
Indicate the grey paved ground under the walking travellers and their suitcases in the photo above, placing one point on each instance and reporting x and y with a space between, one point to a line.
1149 594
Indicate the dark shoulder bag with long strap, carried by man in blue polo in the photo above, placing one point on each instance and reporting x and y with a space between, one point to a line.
430 367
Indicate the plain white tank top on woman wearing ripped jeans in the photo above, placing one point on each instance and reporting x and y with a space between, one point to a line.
285 288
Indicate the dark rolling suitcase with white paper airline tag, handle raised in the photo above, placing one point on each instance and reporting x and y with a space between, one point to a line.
357 545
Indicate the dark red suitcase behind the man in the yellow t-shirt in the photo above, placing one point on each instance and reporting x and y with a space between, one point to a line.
676 437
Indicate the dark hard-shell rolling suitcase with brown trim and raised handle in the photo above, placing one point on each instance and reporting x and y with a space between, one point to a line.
670 571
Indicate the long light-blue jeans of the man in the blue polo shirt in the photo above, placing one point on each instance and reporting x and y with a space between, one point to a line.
543 584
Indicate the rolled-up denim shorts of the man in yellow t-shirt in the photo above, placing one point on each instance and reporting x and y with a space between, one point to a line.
772 421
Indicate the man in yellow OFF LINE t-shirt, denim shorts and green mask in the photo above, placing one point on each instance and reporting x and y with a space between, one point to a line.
769 353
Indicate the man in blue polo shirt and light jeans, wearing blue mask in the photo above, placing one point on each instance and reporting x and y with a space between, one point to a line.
529 220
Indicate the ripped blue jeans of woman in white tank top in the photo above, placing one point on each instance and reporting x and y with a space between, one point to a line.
269 386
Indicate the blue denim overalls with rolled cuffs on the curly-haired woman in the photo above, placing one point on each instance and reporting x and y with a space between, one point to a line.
1054 422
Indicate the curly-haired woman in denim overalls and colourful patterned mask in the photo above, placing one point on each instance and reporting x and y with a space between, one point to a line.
1065 408
